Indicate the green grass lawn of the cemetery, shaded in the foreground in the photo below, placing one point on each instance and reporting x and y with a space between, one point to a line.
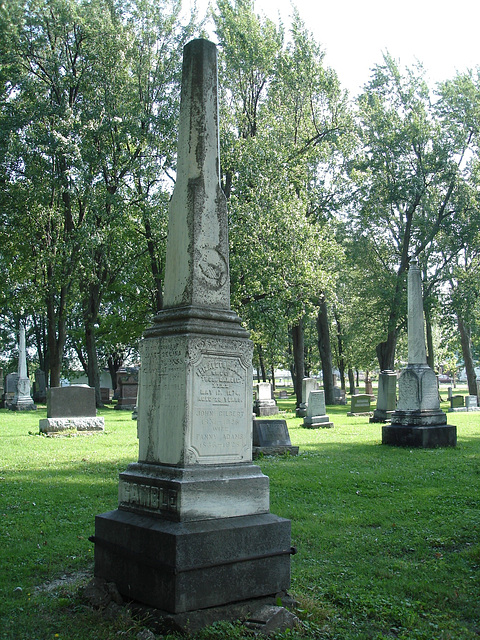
388 539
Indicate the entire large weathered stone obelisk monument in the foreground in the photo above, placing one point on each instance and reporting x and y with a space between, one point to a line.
193 528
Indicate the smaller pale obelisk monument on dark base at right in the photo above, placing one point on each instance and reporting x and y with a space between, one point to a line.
418 420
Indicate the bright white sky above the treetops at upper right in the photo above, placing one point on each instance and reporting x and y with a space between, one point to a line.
444 36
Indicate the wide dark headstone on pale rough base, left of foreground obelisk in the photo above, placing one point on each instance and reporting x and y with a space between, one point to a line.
71 409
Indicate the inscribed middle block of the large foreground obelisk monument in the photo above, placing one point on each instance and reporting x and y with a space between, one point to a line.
195 404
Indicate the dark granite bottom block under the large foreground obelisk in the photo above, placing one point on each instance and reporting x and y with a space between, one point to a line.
186 566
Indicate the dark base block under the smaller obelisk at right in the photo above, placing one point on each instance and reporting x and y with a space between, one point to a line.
427 437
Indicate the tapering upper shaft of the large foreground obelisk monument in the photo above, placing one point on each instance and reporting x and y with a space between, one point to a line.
196 270
